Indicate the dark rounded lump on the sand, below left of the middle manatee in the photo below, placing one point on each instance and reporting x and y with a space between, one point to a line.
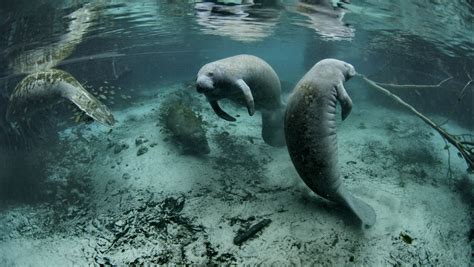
186 128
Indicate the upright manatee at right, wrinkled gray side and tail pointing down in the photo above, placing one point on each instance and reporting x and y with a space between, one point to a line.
310 131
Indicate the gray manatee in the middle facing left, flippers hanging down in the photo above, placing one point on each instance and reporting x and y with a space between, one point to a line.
248 81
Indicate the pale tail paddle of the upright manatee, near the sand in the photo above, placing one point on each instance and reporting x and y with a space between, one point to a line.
364 212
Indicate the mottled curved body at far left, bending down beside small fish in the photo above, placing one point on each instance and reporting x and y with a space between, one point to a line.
43 89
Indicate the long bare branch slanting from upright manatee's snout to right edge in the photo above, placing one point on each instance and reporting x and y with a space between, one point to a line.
459 144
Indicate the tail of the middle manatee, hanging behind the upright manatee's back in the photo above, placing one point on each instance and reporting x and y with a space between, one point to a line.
273 127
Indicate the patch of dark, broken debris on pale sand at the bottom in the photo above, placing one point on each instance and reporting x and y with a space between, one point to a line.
152 222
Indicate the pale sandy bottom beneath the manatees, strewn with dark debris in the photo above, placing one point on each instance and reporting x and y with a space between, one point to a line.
166 207
